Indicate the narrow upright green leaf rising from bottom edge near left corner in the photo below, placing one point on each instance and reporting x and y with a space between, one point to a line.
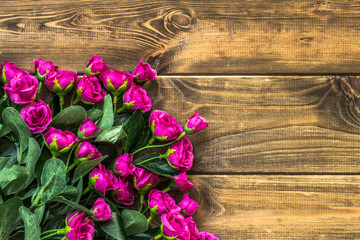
32 228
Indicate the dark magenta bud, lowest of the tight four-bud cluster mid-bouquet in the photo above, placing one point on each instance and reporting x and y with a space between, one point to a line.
124 192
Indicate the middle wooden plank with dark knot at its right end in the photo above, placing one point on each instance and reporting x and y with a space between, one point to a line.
272 124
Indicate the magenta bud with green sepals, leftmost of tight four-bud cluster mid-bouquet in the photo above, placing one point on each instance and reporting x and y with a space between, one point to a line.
101 179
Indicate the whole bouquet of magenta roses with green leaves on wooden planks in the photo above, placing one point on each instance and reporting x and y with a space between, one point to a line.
70 166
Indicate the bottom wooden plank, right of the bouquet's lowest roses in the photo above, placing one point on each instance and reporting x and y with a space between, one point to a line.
278 207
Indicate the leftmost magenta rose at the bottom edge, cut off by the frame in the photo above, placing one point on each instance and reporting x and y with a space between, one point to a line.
78 227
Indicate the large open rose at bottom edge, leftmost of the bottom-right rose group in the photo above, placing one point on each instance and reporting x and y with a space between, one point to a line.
173 225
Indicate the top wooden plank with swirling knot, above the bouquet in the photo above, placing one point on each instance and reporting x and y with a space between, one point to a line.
186 37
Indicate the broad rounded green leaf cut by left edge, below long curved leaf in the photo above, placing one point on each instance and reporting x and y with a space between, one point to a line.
12 178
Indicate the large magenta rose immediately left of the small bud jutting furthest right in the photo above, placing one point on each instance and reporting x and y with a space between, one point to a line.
163 126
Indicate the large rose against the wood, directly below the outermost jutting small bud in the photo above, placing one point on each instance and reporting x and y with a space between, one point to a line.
179 155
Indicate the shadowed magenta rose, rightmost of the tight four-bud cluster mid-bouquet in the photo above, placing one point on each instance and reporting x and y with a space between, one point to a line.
144 180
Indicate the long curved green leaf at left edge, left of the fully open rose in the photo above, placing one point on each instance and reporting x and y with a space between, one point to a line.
14 121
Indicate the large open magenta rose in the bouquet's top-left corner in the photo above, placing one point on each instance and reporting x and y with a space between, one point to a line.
22 90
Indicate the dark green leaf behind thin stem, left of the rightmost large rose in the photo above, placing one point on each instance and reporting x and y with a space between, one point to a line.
157 165
